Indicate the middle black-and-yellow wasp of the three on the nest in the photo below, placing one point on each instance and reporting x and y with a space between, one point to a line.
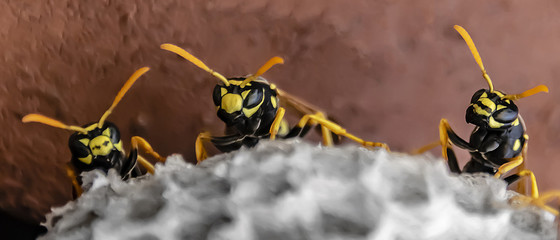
250 108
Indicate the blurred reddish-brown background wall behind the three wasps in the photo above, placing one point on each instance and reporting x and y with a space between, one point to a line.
386 70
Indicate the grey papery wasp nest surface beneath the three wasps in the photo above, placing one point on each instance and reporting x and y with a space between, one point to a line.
294 190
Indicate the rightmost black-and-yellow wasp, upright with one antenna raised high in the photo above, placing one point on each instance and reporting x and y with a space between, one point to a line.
498 143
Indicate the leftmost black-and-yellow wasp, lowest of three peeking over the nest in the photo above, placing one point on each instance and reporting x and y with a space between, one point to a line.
98 145
